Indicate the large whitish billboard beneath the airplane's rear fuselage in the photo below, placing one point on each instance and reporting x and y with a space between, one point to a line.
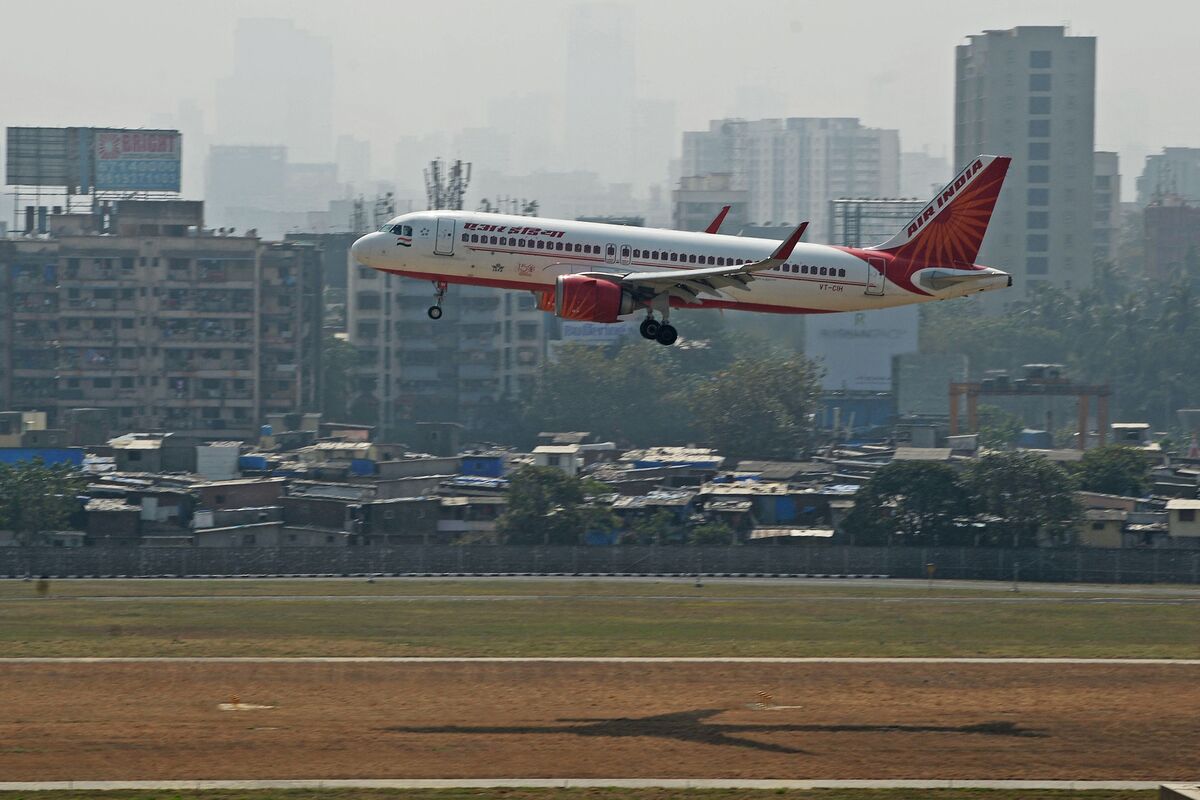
856 348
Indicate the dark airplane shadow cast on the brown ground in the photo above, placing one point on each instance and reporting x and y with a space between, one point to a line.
694 727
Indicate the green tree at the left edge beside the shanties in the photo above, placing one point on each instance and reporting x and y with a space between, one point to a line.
37 498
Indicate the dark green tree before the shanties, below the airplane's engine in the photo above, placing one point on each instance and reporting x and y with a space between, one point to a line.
547 507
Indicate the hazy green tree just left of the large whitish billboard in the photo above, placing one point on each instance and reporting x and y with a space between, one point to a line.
759 407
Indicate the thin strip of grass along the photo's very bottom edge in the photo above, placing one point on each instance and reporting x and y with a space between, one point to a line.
589 795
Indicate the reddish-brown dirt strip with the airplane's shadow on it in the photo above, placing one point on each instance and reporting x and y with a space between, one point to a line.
587 720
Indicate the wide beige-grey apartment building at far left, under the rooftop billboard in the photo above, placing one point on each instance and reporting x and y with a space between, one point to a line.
160 322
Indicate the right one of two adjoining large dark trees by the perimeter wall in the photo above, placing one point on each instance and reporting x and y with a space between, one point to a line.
1028 494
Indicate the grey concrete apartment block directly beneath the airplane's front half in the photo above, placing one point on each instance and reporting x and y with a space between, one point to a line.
464 368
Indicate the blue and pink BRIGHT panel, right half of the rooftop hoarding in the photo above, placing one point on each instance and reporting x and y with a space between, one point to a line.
146 161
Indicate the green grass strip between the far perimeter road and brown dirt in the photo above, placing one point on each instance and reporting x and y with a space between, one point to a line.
581 618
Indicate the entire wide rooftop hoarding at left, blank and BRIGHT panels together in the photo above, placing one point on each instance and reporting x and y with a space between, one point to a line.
81 160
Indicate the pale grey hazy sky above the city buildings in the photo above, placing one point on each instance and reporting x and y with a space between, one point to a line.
416 68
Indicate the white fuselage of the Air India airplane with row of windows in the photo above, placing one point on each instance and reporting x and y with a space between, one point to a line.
530 254
